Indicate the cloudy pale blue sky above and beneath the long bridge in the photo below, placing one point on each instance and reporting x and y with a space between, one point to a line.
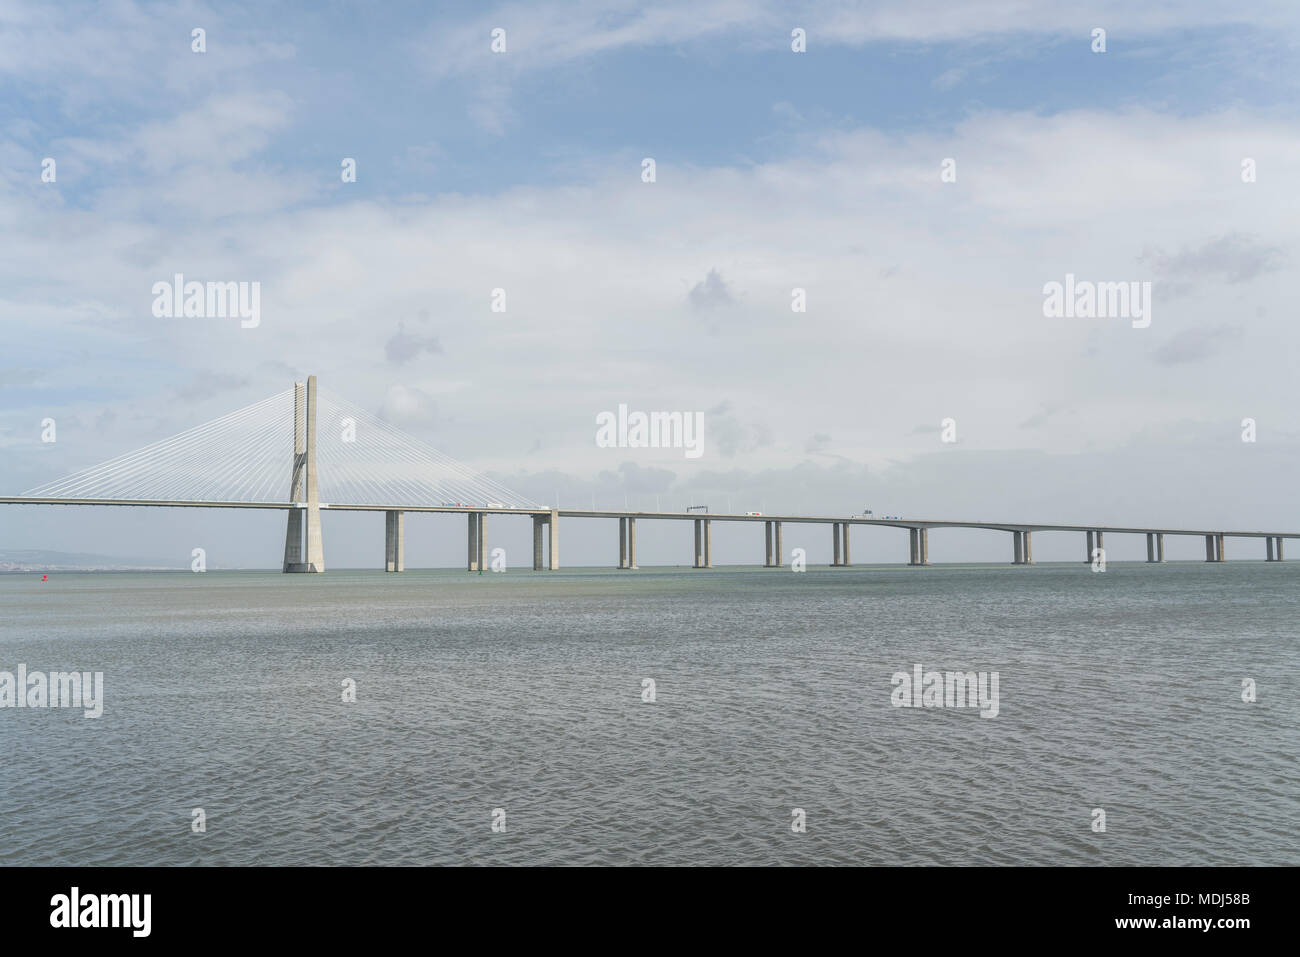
921 171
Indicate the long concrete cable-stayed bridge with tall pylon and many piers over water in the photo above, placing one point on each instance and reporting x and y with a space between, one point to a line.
366 465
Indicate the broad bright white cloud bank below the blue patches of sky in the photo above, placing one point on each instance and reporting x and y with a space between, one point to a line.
601 265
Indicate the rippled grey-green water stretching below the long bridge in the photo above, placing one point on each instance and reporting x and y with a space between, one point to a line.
523 691
